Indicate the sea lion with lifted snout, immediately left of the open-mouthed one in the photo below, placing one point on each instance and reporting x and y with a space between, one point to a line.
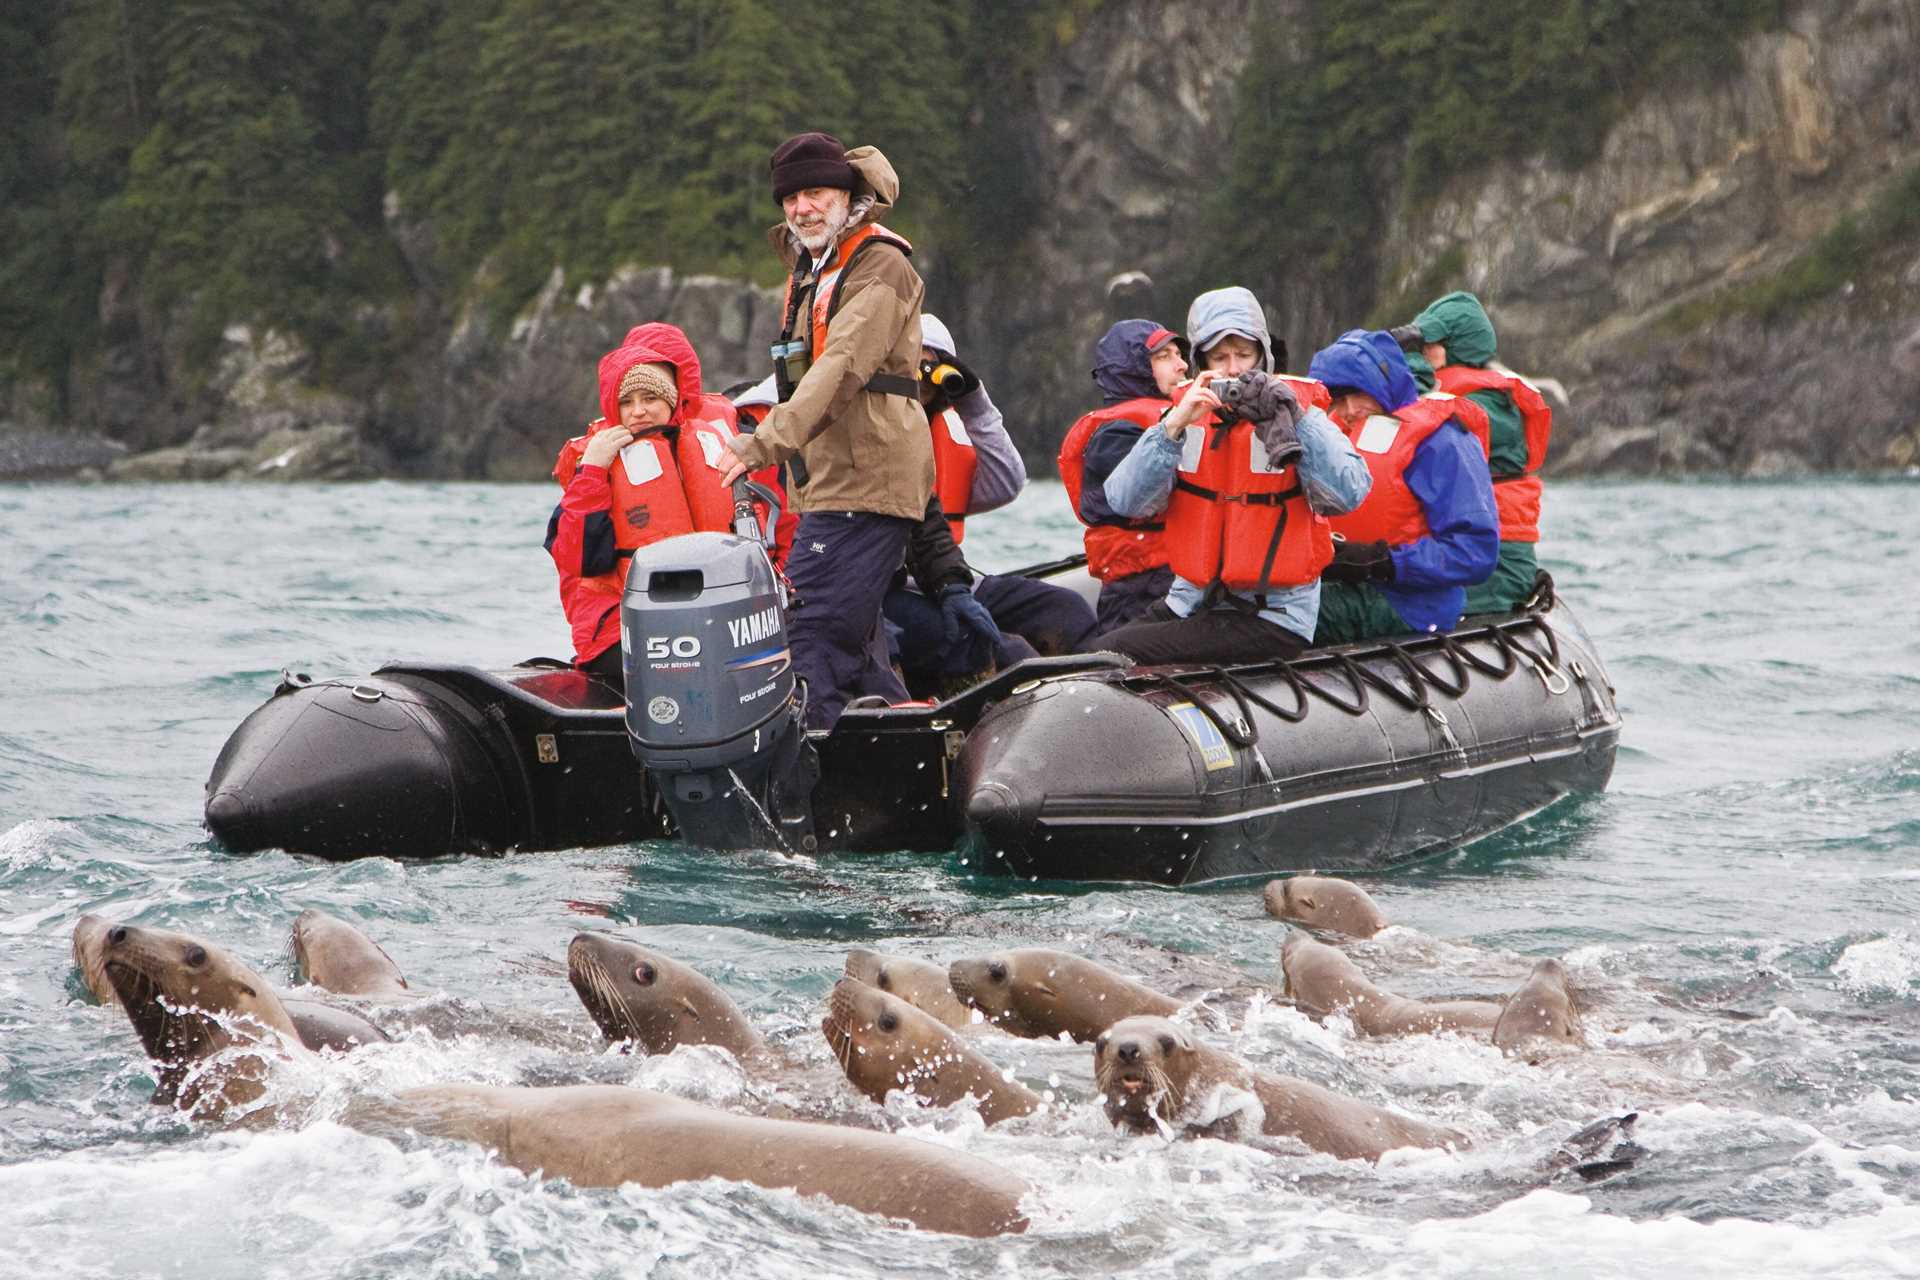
884 1045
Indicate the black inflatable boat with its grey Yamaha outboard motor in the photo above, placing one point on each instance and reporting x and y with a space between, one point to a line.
1074 769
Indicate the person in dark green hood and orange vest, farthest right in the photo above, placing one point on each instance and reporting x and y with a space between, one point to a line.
1452 348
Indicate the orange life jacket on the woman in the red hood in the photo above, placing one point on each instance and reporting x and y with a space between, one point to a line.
663 486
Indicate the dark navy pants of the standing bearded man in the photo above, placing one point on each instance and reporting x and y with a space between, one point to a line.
840 569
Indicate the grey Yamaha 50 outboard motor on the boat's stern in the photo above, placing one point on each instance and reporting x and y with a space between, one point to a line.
711 698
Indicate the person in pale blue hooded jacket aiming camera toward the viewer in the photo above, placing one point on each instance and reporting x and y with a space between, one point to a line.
1247 477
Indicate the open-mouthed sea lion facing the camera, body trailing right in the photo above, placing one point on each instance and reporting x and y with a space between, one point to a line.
1151 1070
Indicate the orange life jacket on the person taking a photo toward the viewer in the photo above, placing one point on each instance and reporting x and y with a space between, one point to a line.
1236 523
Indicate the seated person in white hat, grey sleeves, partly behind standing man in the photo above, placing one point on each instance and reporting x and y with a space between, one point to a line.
957 627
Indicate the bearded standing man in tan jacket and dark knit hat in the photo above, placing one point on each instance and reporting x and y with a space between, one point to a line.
850 421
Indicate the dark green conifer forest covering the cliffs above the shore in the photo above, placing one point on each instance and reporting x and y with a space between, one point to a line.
222 160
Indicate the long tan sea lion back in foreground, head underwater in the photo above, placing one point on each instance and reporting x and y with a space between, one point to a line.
606 1135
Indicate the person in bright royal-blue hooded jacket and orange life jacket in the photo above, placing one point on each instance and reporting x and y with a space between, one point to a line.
1428 529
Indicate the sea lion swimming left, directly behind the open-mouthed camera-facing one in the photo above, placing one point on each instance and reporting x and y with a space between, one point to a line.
1040 993
